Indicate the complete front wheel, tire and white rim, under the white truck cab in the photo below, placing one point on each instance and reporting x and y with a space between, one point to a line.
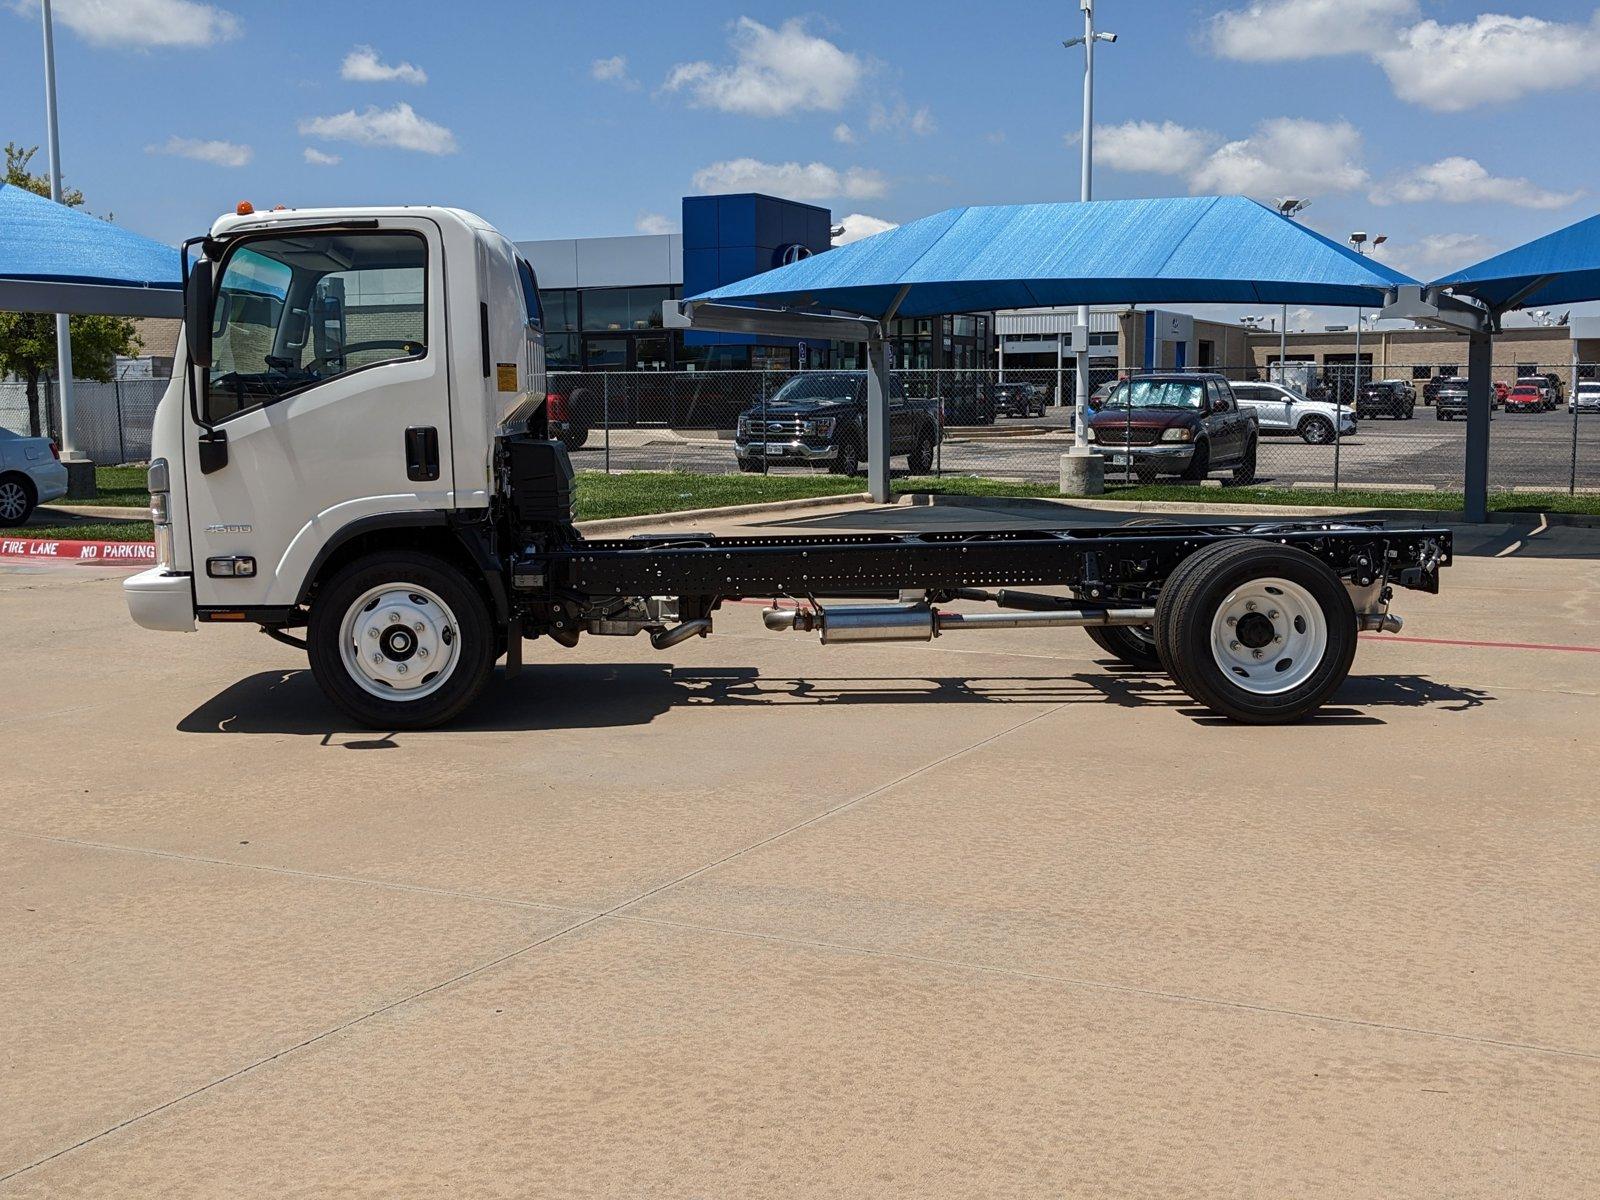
401 641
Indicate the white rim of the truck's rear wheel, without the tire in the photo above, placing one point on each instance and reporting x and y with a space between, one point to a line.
1270 636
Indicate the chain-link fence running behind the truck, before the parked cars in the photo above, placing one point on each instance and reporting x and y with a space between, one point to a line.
1335 426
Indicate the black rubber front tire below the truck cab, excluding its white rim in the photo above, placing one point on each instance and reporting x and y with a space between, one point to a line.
473 633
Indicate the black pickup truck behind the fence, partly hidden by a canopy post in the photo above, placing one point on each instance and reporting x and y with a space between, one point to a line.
822 418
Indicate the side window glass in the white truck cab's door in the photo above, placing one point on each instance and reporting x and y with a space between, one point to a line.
300 310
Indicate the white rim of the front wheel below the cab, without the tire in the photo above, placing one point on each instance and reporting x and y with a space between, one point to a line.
399 642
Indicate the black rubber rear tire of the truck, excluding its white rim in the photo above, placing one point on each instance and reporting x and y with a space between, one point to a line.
1186 612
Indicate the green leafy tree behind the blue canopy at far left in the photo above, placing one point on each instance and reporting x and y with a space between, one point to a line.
28 340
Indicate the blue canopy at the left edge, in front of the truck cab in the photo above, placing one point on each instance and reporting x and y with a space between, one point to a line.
58 260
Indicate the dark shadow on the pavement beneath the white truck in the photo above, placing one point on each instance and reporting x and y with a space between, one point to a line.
578 697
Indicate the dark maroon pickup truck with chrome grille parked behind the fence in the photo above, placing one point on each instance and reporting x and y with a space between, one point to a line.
1183 423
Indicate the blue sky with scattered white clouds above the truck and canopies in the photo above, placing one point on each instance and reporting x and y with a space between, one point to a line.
1455 129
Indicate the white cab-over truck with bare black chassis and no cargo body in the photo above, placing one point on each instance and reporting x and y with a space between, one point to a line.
354 455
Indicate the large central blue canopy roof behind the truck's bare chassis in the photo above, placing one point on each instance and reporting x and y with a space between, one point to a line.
1182 250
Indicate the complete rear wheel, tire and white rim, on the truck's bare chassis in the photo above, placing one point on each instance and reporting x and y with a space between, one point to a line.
1257 633
